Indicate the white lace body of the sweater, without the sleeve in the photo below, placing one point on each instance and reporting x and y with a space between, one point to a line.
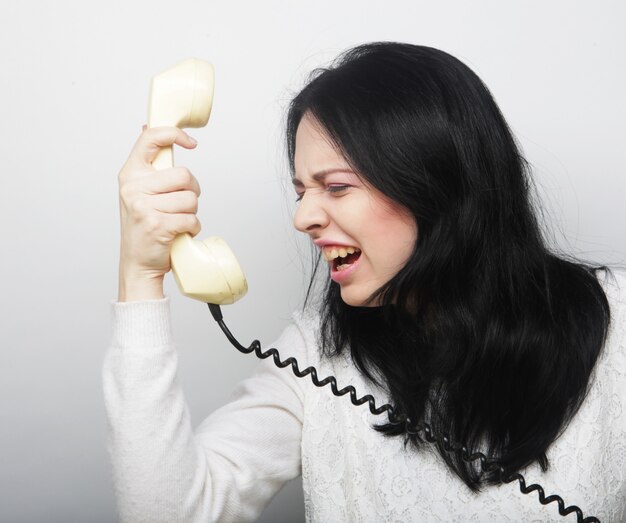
352 473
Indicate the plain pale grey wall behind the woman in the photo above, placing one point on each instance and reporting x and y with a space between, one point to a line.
74 87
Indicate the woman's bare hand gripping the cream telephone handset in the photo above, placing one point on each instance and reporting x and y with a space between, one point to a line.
155 206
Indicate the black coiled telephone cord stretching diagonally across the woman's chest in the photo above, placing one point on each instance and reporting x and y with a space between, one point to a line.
485 464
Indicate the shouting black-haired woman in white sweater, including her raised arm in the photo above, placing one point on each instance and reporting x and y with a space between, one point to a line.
442 299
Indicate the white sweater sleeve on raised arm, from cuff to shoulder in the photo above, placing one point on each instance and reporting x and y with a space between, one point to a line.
238 458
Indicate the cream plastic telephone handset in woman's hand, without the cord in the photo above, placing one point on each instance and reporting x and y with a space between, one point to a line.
206 270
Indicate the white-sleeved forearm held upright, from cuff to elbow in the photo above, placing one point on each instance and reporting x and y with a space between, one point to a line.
153 454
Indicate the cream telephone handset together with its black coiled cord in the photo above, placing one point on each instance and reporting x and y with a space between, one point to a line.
208 270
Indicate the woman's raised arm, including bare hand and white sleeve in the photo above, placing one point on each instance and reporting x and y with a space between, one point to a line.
162 471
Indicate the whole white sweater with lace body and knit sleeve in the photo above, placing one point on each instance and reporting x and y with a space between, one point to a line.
278 426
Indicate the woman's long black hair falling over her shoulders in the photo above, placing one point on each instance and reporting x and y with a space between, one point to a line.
485 333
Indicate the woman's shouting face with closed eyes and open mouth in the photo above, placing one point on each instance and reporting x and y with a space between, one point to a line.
364 236
